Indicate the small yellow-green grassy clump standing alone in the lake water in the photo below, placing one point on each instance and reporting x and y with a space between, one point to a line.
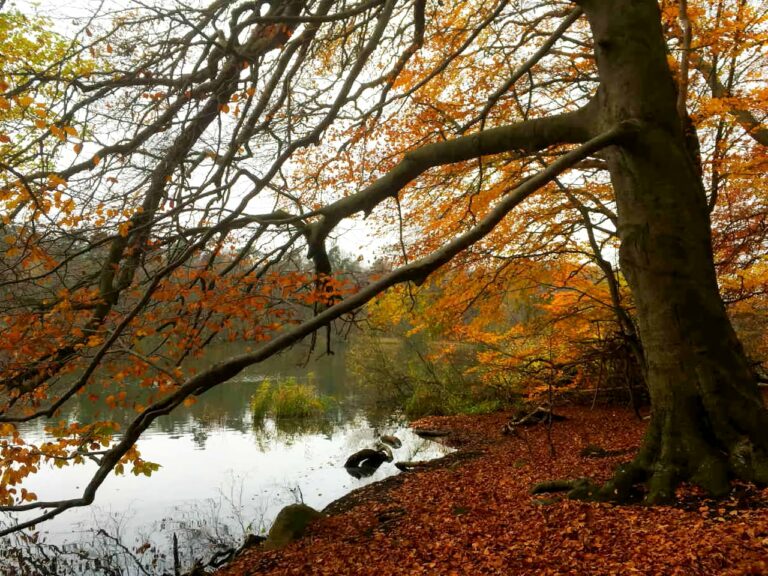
288 399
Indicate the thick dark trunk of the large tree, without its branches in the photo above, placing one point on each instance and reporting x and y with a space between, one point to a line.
709 424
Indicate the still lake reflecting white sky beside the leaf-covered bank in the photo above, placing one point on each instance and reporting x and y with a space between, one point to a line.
222 474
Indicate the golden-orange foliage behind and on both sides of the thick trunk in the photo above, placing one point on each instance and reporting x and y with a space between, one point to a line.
544 294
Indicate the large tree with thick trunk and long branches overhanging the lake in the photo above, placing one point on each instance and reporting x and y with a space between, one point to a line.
199 173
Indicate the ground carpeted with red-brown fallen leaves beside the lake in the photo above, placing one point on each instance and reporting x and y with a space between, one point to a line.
473 514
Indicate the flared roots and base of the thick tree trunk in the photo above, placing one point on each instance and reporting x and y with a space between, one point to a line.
699 440
